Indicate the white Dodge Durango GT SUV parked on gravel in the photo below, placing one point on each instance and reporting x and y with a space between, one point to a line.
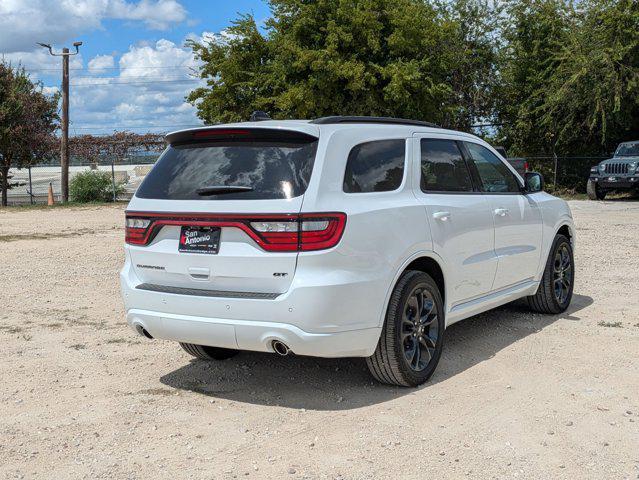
337 237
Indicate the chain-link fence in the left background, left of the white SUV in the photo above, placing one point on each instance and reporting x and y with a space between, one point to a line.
30 185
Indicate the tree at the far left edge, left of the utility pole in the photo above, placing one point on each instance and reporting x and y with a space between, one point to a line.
27 122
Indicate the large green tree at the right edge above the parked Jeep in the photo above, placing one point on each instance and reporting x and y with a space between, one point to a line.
569 76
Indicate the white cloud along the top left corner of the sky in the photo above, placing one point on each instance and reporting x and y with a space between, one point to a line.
25 22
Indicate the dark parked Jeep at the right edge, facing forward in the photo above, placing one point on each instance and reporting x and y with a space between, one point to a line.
619 173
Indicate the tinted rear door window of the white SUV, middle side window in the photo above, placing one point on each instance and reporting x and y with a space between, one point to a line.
443 167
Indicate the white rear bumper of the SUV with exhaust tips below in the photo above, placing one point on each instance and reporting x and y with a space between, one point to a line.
332 319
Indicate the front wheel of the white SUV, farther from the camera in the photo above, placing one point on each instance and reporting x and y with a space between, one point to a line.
548 298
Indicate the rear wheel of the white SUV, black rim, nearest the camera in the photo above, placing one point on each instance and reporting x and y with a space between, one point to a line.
393 360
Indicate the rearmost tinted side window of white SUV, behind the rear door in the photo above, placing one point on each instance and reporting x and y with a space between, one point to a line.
375 166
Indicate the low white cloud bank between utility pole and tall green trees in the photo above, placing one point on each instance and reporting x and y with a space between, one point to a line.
147 93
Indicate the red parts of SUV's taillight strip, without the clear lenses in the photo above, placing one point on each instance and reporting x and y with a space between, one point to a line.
270 241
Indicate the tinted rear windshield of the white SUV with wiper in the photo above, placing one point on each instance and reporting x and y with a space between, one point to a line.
271 168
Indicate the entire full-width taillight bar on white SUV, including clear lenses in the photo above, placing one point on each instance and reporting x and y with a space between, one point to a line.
274 233
